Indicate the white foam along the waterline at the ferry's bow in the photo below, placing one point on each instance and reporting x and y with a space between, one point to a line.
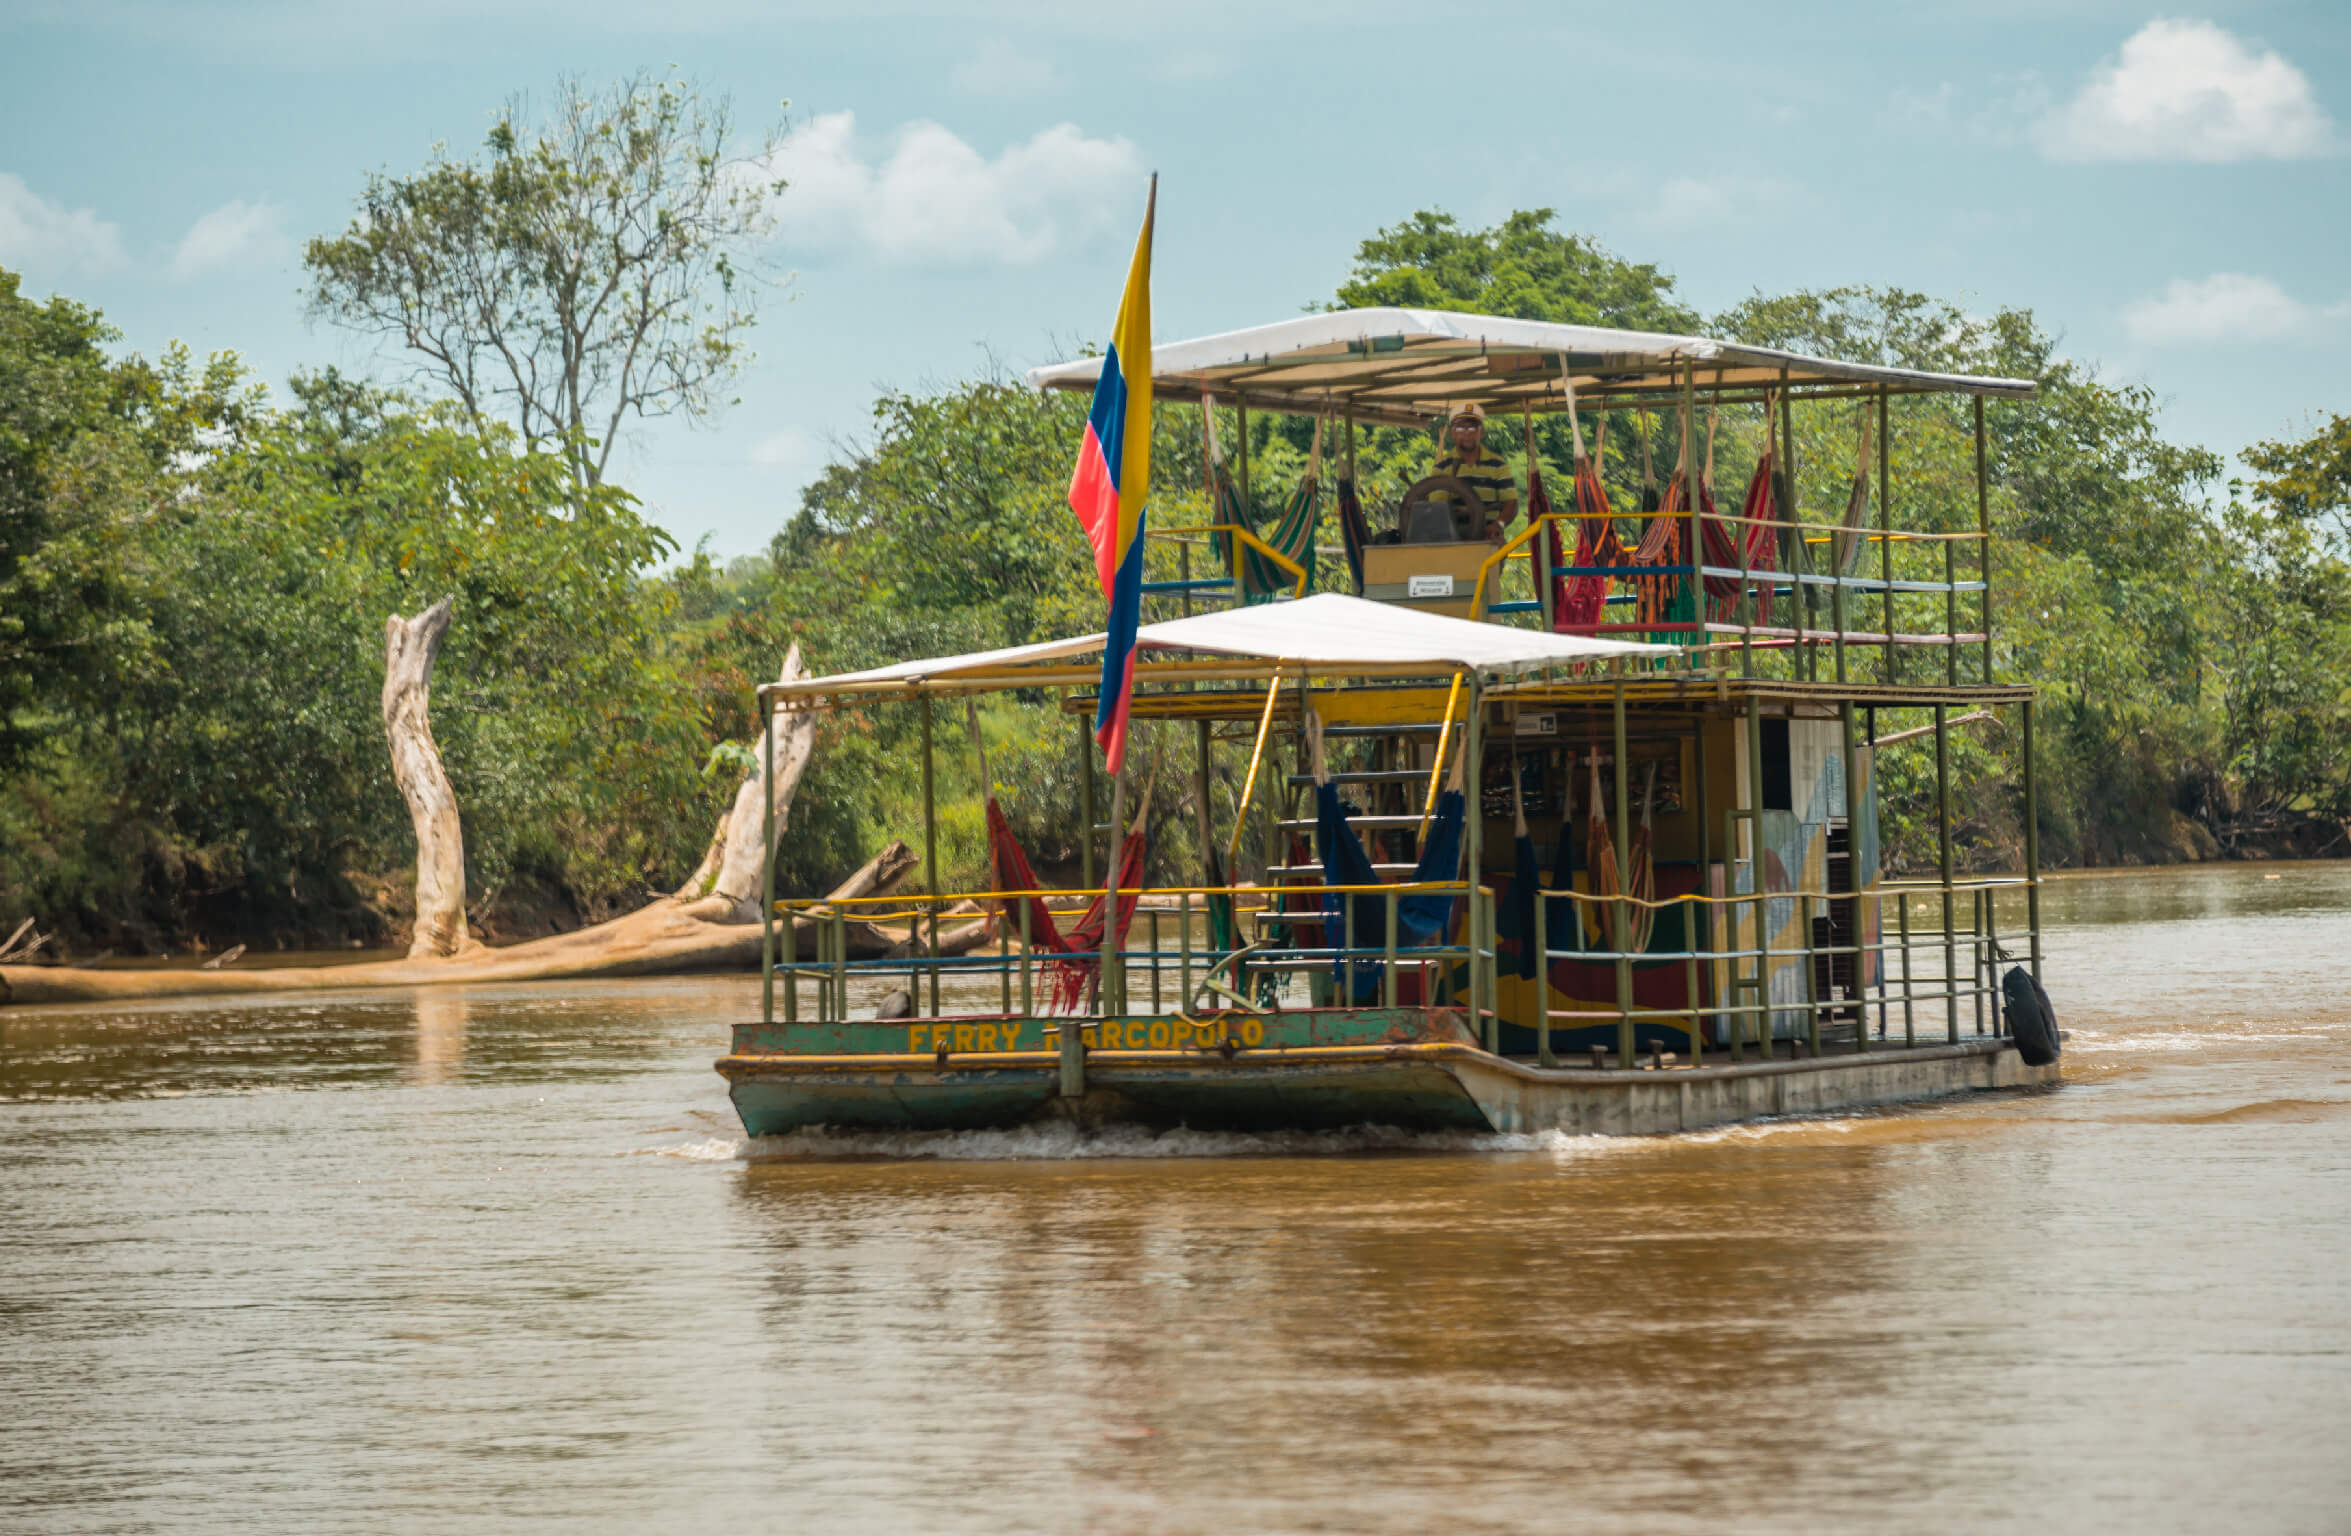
1069 1144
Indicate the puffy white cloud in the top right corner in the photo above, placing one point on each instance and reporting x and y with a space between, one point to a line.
2190 91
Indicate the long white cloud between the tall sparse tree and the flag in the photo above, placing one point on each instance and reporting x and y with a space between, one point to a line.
932 199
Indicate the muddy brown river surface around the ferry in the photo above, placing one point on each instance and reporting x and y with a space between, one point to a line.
502 1257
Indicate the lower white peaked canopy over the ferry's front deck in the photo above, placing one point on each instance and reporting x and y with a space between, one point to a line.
1325 632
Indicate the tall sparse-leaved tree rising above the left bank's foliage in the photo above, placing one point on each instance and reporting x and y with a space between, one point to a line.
589 269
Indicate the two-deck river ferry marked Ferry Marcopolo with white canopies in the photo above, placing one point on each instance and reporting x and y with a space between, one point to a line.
1595 808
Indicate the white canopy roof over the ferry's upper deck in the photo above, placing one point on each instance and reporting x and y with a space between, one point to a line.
1409 366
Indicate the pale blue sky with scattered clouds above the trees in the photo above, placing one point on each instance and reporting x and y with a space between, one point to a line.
2171 192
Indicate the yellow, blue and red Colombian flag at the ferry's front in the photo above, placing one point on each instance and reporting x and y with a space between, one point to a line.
1108 486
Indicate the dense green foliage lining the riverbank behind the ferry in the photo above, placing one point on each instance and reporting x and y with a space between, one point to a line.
194 587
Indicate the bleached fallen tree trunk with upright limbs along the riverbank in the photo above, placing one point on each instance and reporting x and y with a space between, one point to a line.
709 926
